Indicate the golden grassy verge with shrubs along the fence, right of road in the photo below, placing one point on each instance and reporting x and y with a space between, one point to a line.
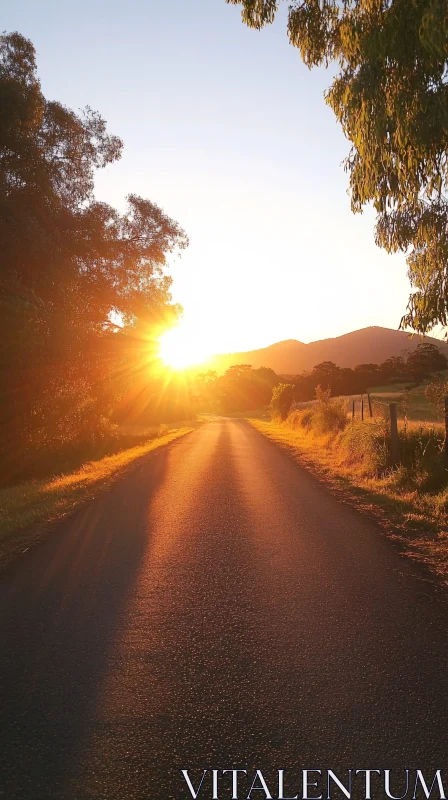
413 511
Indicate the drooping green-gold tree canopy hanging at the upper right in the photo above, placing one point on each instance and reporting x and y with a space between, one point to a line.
390 95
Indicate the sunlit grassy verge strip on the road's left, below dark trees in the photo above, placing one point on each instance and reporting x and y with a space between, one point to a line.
25 509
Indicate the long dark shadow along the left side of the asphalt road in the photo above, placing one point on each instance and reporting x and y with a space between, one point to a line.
59 610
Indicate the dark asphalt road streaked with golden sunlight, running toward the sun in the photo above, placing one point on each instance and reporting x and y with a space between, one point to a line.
215 608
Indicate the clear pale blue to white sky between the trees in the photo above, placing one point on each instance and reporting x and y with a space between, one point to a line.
228 131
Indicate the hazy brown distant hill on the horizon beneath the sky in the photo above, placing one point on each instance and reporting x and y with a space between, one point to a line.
369 345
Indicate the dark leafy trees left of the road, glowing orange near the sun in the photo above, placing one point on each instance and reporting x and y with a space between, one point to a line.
83 290
